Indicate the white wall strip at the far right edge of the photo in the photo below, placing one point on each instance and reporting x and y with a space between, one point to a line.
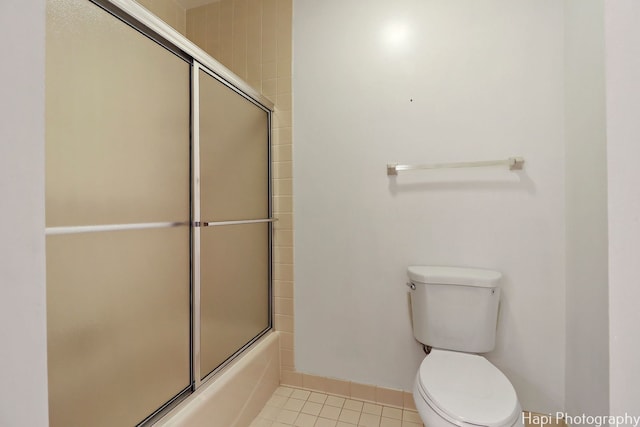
622 40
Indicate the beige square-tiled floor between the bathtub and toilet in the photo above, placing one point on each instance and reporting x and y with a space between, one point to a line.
304 408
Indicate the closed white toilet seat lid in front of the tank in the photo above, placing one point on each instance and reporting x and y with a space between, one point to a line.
467 389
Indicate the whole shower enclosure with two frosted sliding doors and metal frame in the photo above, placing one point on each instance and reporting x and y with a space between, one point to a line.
158 212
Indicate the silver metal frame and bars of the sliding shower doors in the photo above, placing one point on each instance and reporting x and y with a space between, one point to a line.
139 18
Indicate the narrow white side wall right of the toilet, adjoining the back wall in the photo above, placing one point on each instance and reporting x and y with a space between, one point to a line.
587 311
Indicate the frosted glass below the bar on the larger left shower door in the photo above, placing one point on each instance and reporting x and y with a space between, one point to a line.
118 324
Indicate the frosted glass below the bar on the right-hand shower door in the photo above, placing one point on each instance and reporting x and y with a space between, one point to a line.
234 289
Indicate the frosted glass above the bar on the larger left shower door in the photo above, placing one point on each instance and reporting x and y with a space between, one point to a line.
118 123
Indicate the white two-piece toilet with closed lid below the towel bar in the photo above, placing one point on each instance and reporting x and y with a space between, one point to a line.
455 313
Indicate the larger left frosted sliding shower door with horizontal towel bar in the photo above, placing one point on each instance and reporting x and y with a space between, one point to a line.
117 214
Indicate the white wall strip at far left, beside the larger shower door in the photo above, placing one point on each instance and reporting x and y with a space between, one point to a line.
23 364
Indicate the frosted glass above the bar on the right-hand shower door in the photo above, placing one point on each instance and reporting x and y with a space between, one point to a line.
234 151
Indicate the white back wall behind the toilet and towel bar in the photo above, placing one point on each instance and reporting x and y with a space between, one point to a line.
473 81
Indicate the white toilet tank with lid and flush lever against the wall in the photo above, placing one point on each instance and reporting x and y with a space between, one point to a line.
455 308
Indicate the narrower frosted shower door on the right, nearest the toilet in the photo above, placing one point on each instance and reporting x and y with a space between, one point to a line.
234 212
